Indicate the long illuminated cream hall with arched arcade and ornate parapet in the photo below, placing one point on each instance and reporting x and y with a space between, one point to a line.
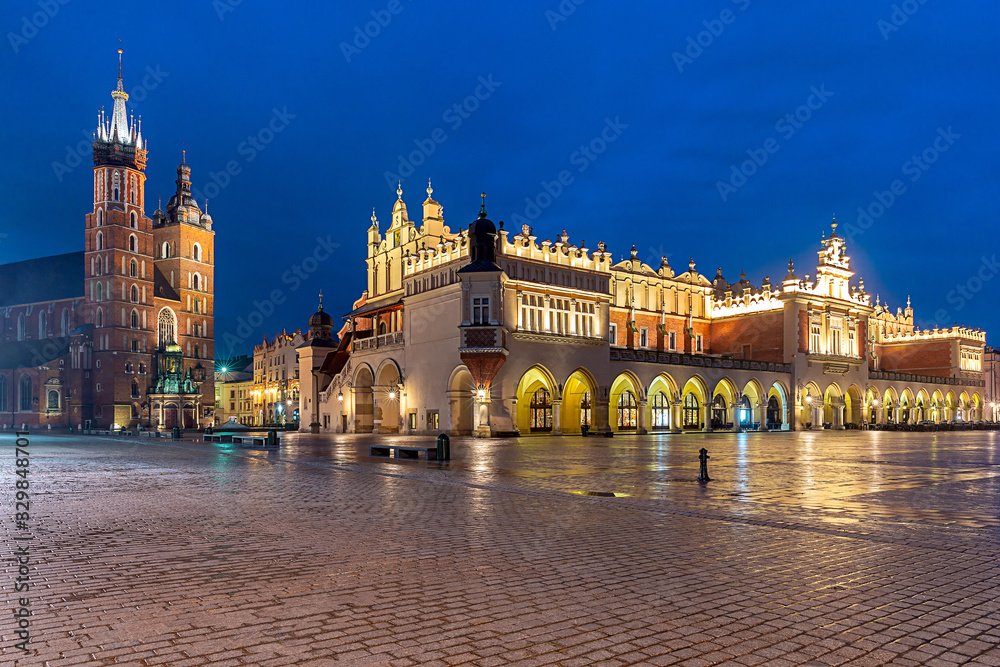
491 331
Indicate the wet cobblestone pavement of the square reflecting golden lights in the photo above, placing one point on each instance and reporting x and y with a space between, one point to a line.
820 548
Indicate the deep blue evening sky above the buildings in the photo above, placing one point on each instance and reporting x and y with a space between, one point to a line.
656 185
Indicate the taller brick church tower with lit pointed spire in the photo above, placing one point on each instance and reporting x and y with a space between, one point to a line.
119 268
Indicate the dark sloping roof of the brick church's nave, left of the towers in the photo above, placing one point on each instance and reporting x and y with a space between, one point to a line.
43 279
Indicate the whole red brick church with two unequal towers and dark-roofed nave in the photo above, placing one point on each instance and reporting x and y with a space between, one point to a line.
119 334
